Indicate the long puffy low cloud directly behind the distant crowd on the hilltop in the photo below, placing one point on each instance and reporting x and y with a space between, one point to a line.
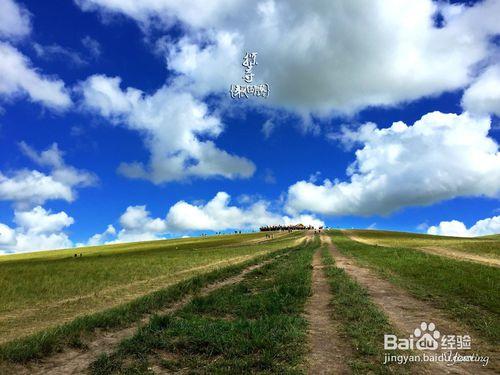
215 215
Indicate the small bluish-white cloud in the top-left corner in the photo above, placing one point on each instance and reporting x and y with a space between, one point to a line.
14 20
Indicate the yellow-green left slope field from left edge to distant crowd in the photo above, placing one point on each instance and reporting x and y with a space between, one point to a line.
42 289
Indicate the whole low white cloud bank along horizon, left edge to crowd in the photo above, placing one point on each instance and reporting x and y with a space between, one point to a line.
40 229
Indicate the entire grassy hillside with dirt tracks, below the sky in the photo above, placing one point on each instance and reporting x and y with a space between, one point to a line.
245 303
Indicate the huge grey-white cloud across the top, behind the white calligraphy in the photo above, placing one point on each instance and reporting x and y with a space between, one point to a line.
395 52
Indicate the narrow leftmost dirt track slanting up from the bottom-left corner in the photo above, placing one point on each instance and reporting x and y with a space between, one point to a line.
74 361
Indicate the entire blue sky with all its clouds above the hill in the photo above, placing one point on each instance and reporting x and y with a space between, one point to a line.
113 84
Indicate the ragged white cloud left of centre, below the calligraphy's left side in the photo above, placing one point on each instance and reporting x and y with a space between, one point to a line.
172 123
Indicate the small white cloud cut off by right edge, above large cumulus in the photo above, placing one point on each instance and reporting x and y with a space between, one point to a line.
483 96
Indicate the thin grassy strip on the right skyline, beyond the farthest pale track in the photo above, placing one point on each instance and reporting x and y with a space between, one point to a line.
486 246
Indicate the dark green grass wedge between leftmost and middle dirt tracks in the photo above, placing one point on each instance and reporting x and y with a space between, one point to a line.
255 326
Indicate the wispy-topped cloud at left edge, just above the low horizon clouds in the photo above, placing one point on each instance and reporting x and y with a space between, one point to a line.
30 187
